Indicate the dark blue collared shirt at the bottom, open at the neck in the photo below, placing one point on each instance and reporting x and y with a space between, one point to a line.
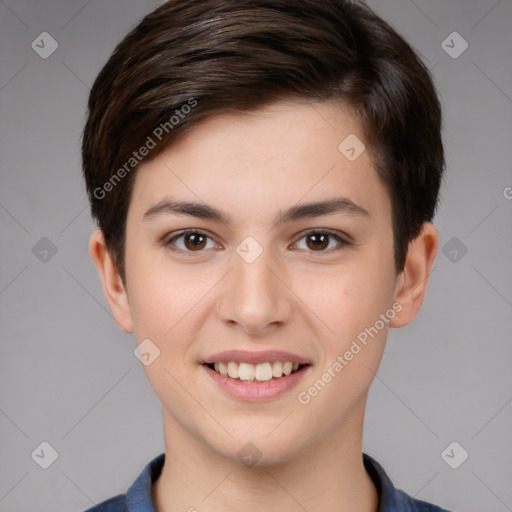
138 496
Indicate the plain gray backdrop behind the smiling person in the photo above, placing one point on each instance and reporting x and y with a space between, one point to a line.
68 376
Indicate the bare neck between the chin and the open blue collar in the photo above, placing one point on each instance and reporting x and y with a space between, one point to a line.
328 475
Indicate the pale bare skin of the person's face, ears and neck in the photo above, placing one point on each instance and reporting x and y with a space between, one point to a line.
295 297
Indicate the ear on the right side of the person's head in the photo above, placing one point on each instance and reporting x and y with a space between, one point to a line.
411 284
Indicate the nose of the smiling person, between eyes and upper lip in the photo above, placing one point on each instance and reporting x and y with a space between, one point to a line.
254 296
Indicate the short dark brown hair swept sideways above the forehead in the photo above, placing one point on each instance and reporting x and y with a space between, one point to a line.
241 55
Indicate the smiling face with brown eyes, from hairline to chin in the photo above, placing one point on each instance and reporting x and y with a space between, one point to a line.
264 281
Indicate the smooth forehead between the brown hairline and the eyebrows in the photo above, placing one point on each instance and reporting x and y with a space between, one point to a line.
288 152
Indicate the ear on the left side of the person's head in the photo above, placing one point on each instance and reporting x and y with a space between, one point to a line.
113 286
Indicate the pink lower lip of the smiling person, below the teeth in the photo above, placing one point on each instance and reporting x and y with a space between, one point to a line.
256 391
